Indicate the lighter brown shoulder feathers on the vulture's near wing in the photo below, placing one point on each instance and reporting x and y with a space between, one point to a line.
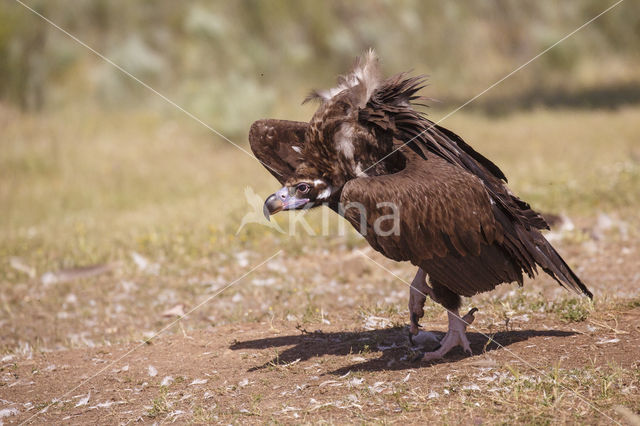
436 215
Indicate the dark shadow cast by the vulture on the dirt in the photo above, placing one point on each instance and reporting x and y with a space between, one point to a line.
393 342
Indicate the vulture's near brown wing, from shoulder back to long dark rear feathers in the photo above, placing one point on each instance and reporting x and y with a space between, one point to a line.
451 229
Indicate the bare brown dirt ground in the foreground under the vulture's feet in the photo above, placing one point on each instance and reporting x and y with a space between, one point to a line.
275 372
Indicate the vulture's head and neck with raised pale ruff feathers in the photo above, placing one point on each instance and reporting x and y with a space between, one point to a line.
339 144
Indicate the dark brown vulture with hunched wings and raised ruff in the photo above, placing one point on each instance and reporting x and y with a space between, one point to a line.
458 220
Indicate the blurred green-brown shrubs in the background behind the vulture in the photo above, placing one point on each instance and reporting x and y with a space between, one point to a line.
232 62
